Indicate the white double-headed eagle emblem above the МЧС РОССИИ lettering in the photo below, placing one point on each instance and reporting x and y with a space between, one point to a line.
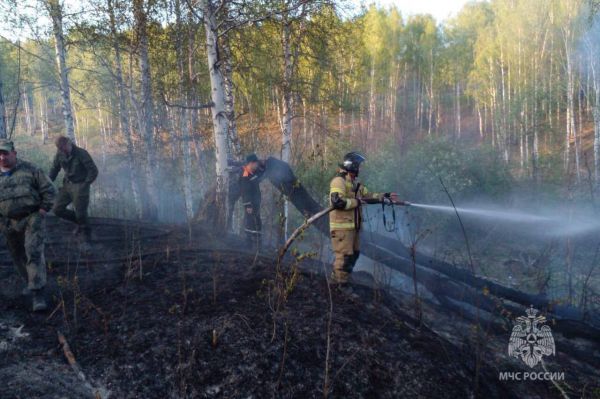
530 340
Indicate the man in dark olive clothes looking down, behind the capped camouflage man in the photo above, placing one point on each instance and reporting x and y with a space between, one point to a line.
80 171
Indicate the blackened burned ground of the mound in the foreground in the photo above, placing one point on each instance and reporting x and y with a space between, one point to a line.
150 314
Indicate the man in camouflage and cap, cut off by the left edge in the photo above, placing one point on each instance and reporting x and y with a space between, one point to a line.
26 194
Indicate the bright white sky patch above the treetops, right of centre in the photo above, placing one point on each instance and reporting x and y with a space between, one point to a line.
440 9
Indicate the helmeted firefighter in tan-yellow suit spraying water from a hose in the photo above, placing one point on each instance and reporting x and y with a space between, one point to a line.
345 194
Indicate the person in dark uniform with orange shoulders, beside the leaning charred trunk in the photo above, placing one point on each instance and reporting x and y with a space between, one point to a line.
251 199
